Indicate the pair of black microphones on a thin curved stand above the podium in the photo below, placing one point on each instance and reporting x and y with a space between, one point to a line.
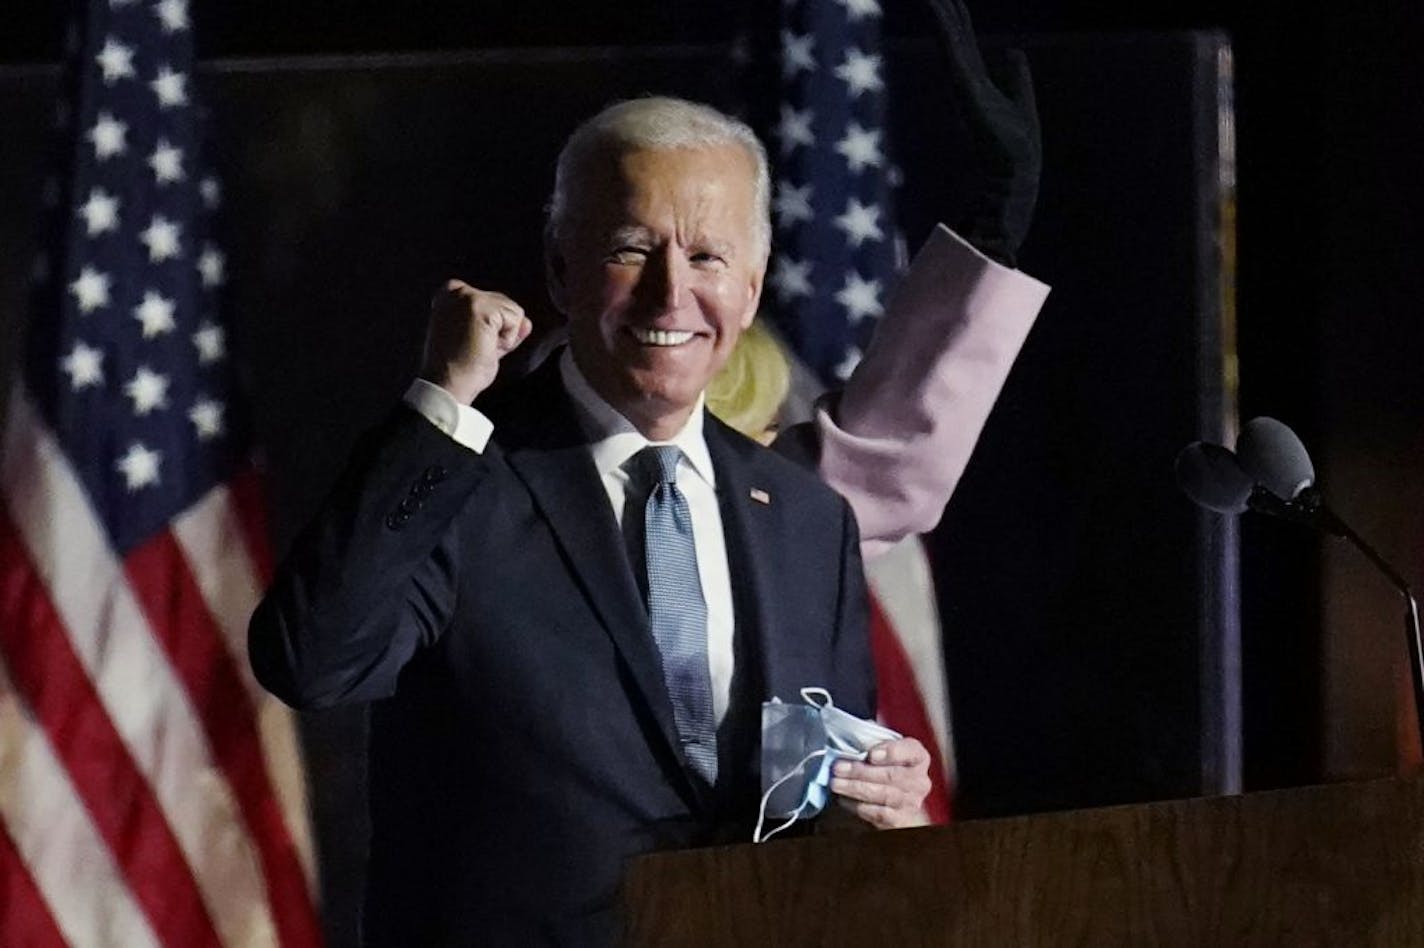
1275 466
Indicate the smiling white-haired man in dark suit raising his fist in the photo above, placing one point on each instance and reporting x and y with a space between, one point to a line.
575 600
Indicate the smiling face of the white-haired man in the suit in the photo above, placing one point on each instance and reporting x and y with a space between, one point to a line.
659 274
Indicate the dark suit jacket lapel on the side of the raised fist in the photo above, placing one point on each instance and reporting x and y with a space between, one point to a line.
548 451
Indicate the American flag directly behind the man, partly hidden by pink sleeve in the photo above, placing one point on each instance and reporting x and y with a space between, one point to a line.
837 257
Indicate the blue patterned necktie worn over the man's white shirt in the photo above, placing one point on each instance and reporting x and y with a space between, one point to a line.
677 610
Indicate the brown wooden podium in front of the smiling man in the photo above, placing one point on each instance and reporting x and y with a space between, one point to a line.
1326 866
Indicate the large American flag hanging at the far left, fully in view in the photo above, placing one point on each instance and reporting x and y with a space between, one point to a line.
150 794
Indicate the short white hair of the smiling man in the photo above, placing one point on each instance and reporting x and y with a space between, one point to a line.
656 123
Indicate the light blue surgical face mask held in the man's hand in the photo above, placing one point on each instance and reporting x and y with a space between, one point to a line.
800 745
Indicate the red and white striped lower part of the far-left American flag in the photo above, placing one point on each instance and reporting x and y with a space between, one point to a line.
152 794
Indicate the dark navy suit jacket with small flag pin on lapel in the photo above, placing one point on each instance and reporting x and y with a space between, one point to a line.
523 745
